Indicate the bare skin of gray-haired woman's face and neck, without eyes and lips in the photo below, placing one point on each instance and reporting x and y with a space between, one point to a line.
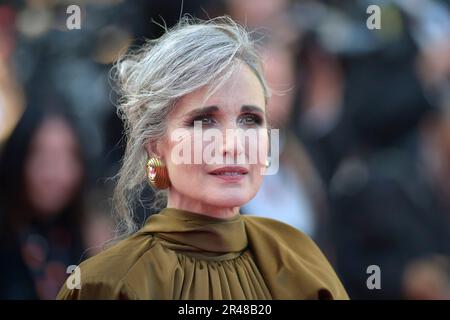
193 188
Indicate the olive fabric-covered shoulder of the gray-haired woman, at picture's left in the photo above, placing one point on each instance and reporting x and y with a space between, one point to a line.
107 274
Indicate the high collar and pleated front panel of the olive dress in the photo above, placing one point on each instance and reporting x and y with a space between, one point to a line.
213 260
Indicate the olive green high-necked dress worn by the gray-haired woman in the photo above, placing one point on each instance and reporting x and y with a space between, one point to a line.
185 255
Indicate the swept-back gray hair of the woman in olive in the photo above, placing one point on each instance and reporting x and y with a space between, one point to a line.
192 54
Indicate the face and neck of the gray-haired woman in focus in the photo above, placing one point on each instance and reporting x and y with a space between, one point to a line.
227 175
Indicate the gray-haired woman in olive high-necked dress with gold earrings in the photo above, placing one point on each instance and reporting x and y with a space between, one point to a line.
207 77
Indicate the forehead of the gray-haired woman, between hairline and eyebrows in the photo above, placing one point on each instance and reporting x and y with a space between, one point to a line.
241 88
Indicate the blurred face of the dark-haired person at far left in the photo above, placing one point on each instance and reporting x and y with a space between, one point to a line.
53 170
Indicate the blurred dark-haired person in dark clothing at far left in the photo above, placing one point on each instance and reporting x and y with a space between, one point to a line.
41 208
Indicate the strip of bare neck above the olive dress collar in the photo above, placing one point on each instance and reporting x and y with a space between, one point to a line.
196 206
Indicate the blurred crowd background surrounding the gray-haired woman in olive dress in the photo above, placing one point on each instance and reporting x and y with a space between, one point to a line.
364 118
